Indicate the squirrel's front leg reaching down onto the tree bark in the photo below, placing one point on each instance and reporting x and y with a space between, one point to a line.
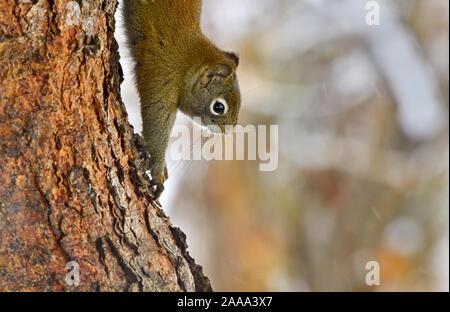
158 117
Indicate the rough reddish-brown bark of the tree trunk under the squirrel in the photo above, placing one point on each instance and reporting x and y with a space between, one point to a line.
72 172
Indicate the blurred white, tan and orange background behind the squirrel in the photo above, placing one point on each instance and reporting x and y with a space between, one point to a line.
363 170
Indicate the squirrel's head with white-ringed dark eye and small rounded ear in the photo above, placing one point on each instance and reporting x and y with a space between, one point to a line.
213 93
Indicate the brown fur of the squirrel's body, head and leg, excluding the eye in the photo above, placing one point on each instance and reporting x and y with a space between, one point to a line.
177 67
